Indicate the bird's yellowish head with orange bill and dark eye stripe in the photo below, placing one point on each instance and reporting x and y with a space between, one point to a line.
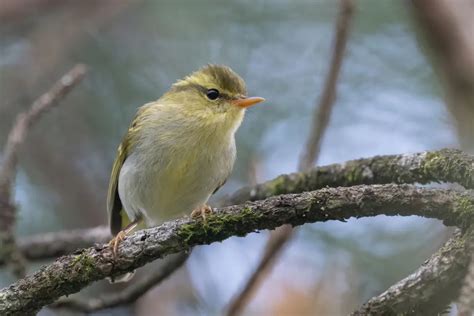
215 93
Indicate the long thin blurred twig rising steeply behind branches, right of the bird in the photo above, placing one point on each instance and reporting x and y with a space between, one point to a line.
279 238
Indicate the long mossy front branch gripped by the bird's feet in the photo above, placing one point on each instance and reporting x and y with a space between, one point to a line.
71 273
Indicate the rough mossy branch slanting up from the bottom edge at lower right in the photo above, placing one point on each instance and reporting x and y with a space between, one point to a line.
428 290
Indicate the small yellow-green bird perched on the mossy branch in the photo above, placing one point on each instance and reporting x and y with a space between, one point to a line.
178 151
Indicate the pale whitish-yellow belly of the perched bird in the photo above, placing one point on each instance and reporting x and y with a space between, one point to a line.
174 181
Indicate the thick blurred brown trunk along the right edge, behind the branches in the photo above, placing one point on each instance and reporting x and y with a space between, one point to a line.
448 28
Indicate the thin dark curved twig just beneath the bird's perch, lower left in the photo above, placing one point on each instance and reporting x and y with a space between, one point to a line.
127 295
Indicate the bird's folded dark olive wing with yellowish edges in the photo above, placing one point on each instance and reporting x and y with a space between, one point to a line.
118 218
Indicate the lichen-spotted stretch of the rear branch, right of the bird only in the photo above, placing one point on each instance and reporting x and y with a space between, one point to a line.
445 165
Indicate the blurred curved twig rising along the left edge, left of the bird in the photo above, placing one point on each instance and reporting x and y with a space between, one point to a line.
8 168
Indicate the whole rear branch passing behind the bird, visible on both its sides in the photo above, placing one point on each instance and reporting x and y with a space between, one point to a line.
424 167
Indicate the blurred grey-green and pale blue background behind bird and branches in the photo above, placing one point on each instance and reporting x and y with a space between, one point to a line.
389 101
